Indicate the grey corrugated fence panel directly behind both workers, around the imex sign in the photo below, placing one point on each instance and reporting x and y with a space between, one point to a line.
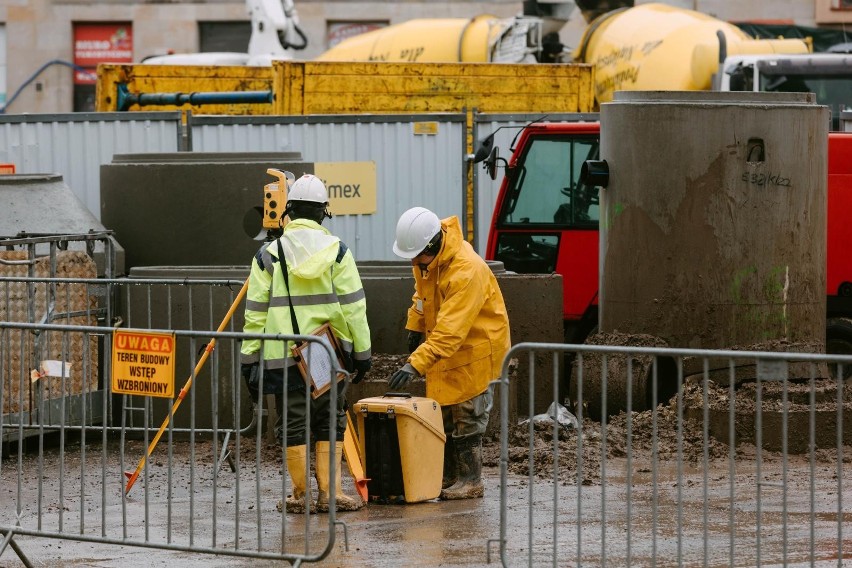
411 169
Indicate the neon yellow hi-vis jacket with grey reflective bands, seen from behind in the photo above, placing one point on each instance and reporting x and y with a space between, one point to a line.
324 286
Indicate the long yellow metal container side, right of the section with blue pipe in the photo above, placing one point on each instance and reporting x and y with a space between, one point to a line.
329 87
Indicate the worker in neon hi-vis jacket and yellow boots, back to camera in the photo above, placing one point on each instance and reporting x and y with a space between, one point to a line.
308 277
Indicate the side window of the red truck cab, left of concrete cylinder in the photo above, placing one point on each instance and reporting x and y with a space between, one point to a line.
546 189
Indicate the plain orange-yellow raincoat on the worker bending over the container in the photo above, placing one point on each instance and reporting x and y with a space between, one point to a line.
458 305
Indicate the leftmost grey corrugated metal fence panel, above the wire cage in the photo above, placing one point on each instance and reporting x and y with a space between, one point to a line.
76 145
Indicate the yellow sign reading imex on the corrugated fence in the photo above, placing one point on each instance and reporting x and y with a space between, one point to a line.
351 186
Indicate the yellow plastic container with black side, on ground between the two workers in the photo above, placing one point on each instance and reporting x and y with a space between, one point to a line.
402 440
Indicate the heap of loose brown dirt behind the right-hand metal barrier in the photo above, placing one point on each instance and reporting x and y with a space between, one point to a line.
669 434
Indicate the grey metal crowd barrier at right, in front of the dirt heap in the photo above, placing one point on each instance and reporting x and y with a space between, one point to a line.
748 463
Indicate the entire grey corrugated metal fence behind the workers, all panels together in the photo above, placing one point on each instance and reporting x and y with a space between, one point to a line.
412 169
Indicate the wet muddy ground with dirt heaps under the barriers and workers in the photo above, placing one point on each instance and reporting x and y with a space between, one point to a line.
666 498
